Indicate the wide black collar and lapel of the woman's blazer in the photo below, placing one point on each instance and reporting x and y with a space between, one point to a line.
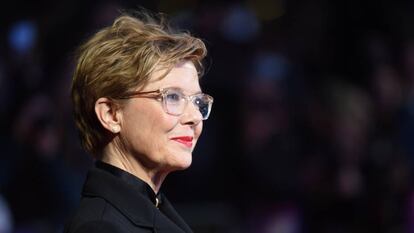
133 198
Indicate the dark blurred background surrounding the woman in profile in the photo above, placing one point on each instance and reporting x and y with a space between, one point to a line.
312 128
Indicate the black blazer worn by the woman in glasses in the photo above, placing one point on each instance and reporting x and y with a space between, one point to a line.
116 201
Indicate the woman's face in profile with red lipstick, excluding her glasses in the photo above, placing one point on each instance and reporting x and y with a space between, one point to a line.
157 139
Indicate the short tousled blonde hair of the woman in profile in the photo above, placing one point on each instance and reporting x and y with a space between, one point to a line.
121 58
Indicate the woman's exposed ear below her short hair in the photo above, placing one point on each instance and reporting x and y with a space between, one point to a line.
108 114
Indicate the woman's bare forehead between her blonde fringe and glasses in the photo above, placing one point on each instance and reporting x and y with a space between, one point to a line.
183 75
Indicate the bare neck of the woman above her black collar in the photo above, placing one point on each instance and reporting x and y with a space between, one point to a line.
154 178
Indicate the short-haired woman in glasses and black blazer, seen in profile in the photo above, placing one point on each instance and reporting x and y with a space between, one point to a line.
140 110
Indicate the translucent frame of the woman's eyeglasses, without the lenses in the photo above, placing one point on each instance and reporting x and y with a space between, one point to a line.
161 95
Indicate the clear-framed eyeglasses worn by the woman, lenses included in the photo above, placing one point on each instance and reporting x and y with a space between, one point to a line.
174 101
